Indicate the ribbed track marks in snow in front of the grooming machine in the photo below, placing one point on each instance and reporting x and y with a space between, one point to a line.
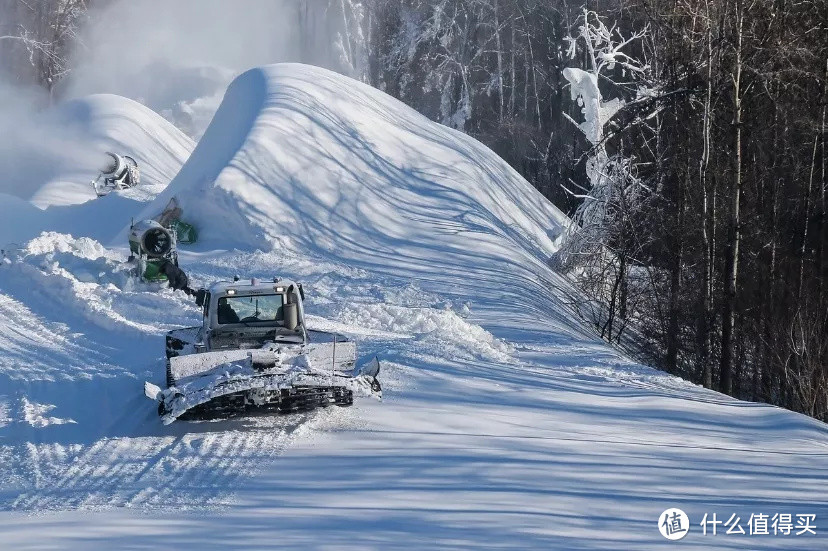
189 470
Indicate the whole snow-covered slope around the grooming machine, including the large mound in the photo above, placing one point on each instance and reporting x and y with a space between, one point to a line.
505 422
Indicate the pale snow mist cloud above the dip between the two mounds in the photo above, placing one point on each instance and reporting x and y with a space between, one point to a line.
177 58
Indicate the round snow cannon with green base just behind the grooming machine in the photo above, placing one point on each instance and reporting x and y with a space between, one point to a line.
151 246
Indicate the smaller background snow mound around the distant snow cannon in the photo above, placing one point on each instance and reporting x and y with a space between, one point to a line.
62 150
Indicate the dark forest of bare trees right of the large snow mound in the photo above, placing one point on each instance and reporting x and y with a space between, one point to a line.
705 250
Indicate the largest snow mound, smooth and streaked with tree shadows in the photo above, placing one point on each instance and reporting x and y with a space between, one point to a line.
303 157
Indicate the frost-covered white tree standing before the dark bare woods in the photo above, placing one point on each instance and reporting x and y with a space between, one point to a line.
600 240
